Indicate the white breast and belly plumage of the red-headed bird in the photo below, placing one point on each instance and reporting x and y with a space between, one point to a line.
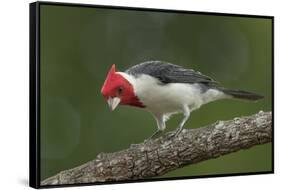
169 98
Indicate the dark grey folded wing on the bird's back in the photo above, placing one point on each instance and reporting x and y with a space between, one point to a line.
169 73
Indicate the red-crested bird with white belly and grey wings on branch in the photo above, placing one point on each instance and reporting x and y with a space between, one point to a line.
165 89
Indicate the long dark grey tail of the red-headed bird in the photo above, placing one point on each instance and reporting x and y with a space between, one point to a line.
241 94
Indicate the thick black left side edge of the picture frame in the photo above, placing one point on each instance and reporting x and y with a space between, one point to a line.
34 166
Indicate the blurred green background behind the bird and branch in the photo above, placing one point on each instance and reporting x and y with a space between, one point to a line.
79 45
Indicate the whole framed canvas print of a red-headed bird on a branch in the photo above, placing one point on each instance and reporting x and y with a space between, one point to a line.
192 94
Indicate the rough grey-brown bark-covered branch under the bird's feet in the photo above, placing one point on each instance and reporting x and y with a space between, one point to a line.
164 154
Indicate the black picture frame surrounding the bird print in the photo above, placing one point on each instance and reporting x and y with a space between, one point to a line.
34 83
